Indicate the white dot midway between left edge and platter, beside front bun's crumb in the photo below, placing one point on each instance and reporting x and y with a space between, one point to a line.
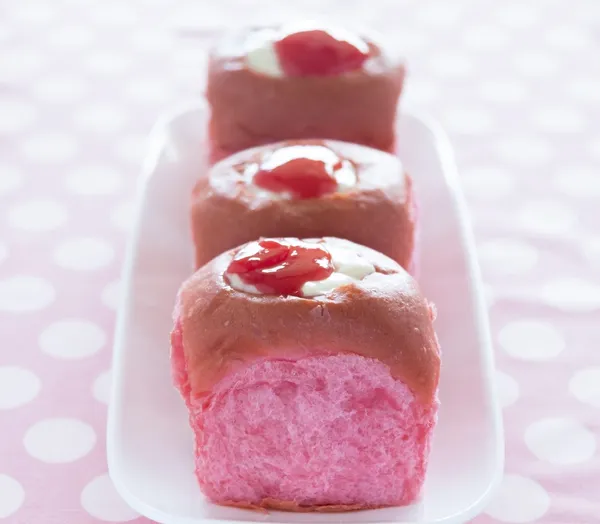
59 440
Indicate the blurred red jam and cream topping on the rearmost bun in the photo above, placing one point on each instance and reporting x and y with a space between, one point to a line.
320 53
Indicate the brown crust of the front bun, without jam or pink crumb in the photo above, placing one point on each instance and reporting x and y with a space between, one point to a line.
383 316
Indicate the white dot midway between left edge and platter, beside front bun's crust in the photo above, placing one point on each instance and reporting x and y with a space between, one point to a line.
72 339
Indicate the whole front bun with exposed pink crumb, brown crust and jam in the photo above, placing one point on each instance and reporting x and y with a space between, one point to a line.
310 370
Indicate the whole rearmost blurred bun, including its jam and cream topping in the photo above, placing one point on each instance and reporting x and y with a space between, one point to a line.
301 81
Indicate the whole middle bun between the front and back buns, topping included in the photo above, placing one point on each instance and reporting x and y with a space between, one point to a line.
305 188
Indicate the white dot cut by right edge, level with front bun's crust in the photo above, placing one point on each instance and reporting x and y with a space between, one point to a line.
572 294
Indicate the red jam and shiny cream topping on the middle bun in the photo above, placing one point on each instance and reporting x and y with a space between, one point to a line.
305 171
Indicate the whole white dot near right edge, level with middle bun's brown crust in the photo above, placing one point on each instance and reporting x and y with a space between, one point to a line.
547 217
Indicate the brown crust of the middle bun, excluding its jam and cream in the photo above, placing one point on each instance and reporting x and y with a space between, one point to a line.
379 212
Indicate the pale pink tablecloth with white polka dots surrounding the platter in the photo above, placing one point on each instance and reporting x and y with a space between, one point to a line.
515 83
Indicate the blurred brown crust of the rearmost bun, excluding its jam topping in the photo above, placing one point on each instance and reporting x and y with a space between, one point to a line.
249 108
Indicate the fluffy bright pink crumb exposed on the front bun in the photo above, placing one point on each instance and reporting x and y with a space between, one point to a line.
315 431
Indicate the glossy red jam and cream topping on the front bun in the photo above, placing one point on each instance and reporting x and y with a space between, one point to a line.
281 267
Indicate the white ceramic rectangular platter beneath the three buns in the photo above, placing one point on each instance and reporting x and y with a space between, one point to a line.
149 440
